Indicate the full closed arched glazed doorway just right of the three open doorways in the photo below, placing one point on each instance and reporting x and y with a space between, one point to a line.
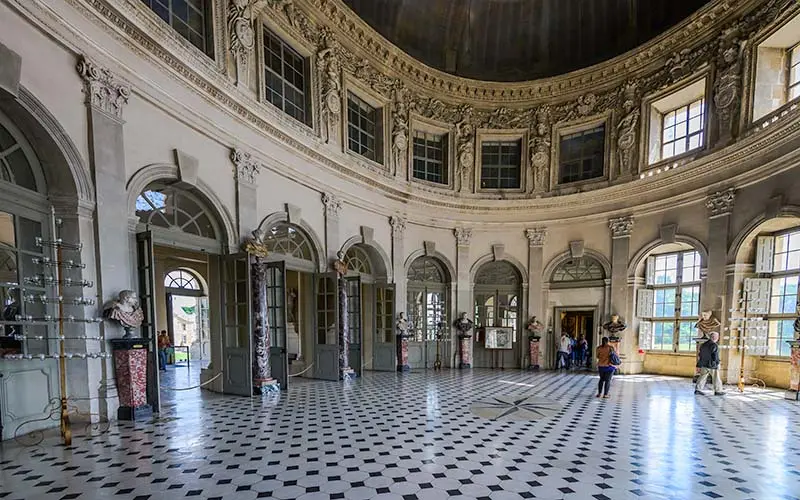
427 308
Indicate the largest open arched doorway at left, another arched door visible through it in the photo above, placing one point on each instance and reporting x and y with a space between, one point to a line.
181 252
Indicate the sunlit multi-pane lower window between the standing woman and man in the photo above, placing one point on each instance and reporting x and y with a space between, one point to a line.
677 319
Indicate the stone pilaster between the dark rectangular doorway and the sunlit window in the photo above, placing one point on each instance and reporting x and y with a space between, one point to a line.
621 228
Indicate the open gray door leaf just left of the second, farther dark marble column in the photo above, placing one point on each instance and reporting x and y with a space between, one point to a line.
326 352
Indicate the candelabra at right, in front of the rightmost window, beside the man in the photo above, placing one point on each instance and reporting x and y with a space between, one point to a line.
748 330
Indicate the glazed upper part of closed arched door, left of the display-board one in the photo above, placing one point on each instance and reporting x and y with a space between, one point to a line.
427 298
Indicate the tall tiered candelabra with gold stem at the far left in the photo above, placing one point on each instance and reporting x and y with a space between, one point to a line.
49 293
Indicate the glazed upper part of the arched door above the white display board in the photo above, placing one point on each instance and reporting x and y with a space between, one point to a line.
497 294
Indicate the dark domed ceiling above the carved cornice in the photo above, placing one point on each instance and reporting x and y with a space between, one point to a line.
513 40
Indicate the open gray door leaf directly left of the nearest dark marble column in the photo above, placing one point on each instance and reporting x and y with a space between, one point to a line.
237 325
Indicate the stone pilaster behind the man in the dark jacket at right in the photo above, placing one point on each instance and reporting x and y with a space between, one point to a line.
713 296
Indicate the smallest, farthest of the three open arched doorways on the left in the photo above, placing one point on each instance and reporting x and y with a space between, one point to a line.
370 307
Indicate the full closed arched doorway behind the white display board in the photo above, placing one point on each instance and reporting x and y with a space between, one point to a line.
497 298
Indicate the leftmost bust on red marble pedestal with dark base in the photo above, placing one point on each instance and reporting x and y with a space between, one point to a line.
130 358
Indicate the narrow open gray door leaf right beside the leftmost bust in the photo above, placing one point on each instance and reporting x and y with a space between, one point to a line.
146 270
